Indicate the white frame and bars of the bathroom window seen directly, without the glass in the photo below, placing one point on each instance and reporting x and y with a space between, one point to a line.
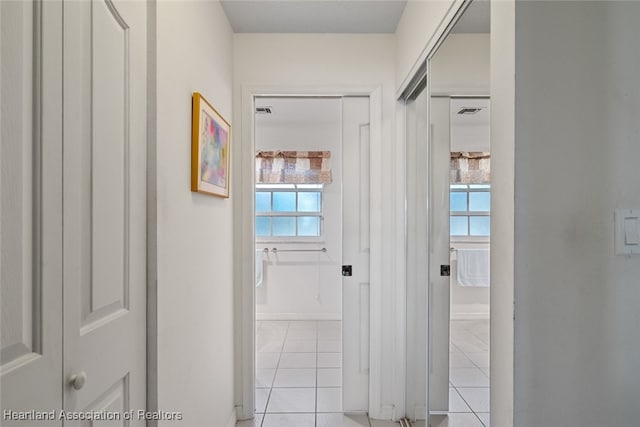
292 188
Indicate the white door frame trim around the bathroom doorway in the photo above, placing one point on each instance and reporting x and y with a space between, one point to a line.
244 252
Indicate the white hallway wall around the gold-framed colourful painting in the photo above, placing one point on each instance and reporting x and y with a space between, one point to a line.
194 231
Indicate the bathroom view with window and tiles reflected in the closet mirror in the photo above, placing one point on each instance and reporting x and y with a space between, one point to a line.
468 216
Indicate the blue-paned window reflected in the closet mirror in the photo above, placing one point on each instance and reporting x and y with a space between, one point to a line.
470 206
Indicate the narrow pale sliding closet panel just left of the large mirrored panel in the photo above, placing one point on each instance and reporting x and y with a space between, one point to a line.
417 297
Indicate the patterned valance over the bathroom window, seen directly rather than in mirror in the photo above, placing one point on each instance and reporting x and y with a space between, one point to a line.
293 167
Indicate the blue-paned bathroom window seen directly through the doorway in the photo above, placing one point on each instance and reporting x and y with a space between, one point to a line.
288 211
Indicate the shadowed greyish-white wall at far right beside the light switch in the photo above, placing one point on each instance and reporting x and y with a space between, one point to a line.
576 160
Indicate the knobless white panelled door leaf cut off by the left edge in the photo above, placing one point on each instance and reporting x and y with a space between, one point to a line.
31 209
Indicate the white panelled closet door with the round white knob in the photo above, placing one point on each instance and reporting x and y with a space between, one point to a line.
104 206
